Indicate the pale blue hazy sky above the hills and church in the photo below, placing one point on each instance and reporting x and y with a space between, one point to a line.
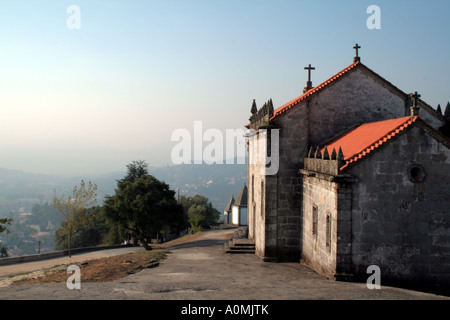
93 99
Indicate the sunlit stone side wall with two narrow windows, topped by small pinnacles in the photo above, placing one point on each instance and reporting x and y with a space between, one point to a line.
327 191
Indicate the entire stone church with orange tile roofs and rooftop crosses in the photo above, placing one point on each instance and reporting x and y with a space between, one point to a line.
363 179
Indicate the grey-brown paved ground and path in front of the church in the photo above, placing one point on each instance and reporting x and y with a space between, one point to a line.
201 270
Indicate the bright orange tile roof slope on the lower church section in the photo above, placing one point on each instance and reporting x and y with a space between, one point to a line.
364 139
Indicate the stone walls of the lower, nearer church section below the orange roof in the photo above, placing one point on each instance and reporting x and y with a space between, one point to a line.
389 209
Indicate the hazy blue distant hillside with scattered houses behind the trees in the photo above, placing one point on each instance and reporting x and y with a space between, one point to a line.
19 189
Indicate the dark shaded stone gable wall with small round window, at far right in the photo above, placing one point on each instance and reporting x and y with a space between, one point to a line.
401 211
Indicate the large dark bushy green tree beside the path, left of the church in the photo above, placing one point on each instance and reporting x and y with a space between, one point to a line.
143 205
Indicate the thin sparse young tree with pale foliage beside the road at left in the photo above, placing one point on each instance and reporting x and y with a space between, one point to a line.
73 206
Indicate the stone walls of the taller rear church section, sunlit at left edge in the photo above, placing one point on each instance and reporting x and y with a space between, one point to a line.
354 96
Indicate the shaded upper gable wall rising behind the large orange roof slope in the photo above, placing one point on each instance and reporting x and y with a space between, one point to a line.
355 99
